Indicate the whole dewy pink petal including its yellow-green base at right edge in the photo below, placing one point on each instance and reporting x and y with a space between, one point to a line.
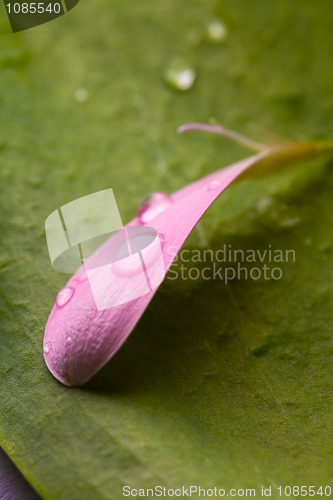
79 339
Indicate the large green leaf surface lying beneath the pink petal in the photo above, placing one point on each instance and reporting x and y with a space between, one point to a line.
226 385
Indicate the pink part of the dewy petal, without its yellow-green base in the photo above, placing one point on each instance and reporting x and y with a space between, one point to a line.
79 339
